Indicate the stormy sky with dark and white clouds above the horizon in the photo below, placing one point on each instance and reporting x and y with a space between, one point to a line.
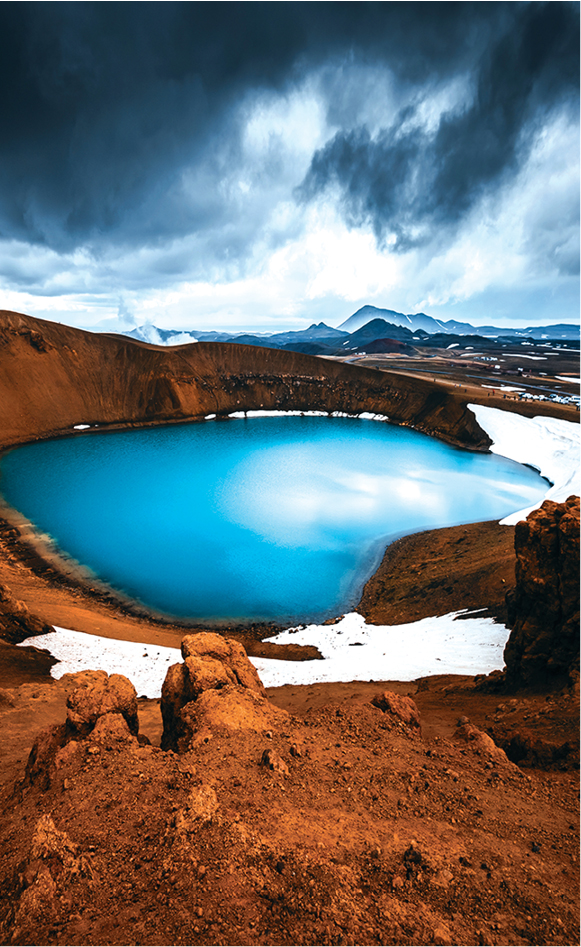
269 165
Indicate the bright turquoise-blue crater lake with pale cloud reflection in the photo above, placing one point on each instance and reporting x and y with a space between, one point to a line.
277 518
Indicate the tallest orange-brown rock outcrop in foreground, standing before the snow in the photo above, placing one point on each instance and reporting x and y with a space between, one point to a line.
216 687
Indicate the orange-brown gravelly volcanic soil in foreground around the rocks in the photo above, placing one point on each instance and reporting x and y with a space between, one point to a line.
376 835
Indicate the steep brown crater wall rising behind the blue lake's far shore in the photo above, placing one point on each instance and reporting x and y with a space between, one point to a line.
55 377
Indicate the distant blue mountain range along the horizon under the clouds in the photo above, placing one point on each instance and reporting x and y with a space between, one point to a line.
369 329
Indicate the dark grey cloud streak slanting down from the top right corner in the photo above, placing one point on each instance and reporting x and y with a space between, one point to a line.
408 181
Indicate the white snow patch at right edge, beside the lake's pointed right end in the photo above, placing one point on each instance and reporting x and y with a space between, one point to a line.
551 445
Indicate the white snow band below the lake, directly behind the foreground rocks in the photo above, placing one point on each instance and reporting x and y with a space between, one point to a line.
352 651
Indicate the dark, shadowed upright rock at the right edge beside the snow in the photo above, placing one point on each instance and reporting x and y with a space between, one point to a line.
543 609
